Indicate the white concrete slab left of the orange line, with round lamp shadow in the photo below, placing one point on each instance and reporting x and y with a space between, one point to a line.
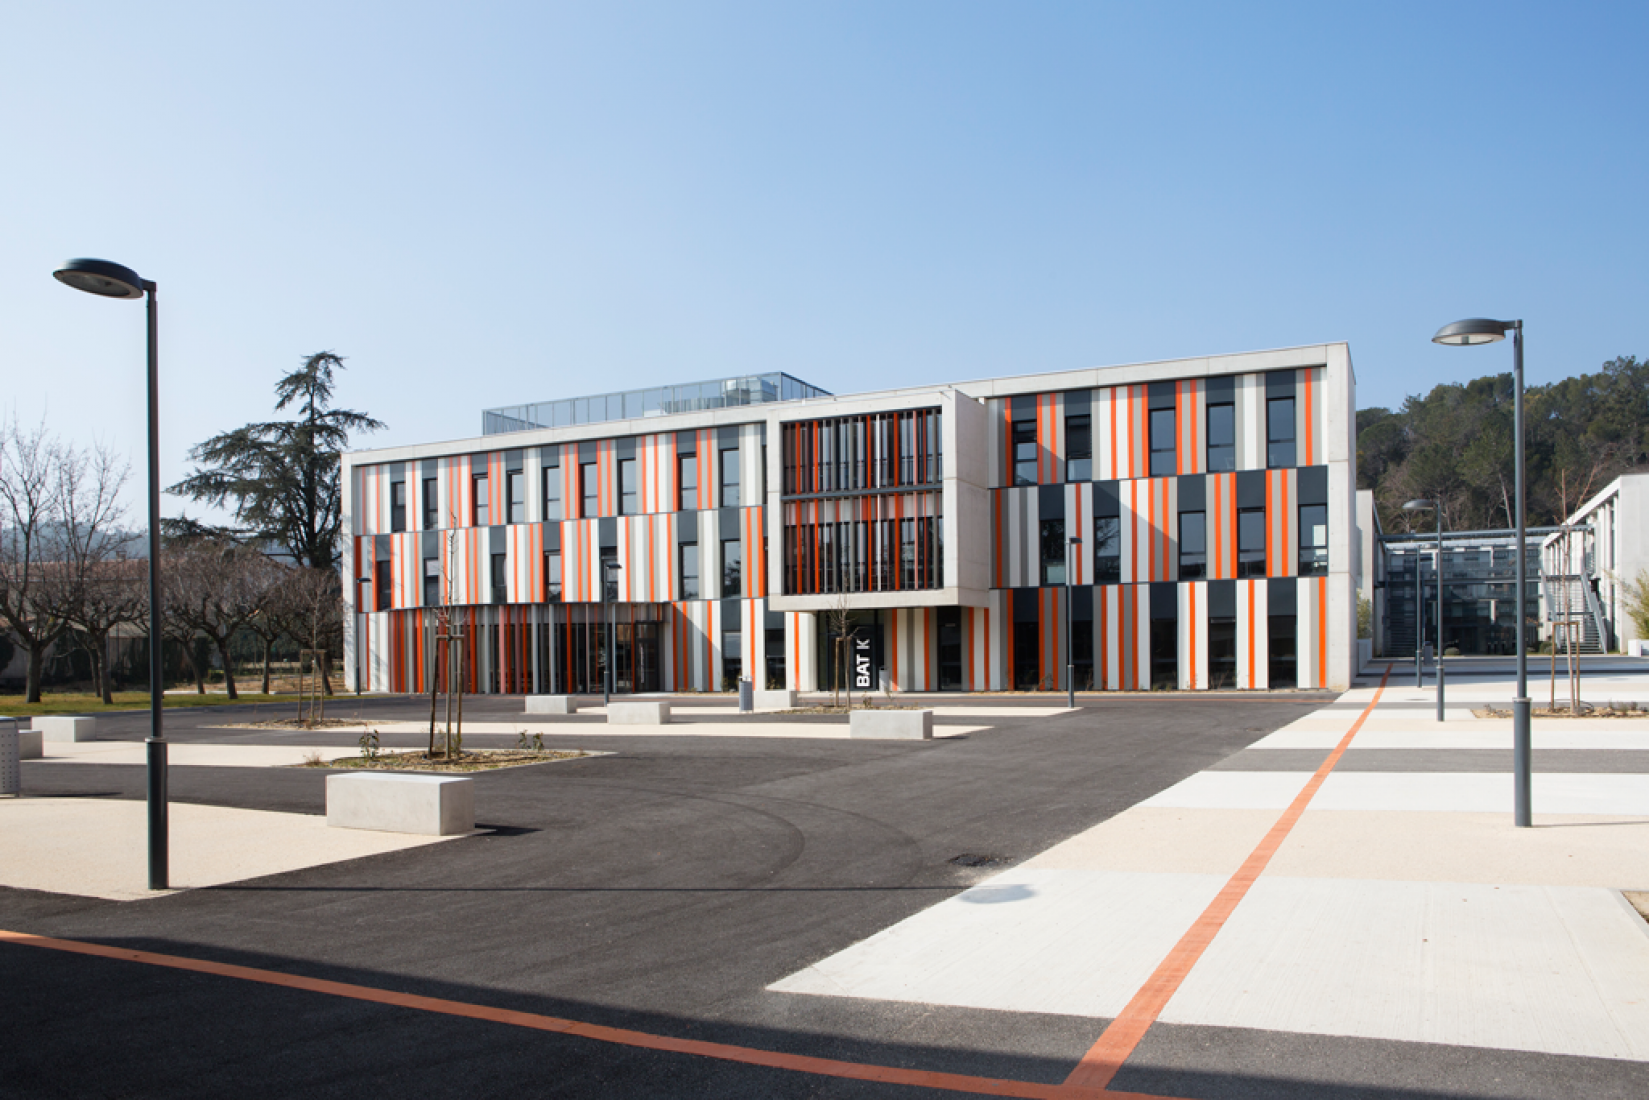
1035 941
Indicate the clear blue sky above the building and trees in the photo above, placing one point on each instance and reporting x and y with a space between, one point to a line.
484 205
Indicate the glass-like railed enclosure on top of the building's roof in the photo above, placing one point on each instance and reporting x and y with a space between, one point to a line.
723 393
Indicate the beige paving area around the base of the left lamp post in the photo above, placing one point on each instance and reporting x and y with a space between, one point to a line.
96 847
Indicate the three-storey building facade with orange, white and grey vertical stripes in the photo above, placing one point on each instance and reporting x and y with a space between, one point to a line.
1211 514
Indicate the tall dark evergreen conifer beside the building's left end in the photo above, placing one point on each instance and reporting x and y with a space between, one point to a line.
281 477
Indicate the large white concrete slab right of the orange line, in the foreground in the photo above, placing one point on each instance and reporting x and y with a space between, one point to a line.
1559 971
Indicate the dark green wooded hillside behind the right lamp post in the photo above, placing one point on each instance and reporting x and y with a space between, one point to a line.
1455 446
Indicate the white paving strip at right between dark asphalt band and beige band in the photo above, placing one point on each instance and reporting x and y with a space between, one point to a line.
1610 794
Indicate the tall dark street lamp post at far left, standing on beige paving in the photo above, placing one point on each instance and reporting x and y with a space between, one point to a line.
113 281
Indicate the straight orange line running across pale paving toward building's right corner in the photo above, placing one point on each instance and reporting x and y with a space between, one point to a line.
1099 1066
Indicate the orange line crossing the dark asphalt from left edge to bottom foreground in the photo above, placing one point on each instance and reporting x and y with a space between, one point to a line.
621 1037
